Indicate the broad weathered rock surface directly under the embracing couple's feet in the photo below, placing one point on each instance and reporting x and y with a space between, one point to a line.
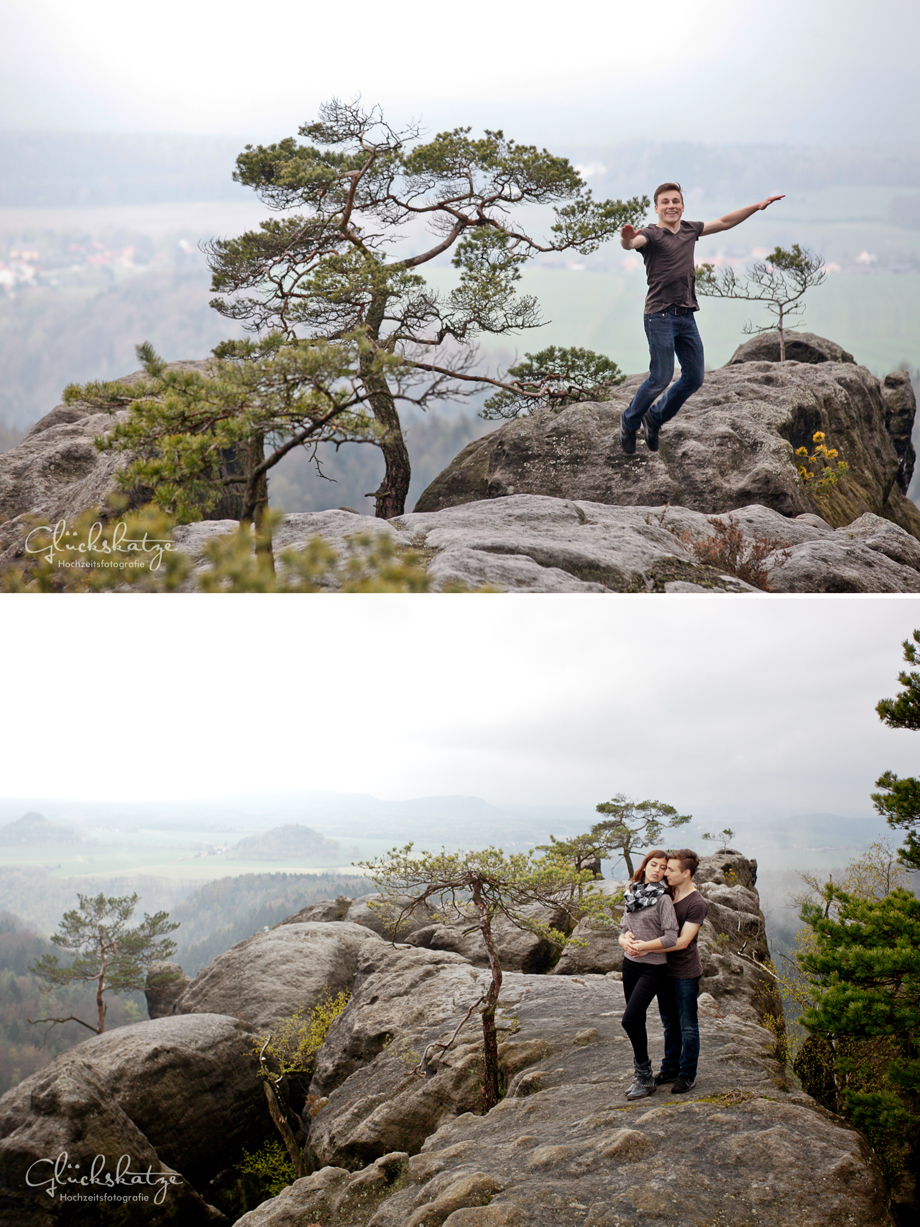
565 1148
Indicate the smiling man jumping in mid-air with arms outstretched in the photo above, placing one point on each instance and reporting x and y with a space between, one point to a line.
668 250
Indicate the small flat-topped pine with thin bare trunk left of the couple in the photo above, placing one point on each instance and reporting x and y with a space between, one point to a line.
475 888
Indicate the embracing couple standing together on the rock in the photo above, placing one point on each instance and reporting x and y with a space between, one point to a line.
663 915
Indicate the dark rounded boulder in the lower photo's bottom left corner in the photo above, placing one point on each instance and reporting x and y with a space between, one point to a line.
178 1095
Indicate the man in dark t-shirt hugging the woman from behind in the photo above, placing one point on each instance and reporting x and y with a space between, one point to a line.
678 1003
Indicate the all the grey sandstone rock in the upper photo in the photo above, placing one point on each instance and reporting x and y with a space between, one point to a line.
549 504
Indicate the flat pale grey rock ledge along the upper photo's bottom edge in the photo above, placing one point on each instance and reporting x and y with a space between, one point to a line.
531 543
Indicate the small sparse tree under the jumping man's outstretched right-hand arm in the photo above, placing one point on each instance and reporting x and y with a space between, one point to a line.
780 283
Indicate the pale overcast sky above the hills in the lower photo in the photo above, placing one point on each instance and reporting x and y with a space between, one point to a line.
719 706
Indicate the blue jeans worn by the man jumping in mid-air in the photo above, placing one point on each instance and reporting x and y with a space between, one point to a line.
668 336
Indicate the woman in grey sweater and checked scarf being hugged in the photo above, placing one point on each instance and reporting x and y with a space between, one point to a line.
648 915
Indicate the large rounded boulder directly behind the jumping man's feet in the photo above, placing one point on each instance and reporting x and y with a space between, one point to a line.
730 446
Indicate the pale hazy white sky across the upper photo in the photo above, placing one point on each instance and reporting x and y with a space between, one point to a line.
707 71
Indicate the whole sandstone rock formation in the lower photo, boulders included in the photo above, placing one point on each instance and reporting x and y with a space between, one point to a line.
393 1114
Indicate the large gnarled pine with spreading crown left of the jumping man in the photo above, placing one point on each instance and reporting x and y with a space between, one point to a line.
378 206
